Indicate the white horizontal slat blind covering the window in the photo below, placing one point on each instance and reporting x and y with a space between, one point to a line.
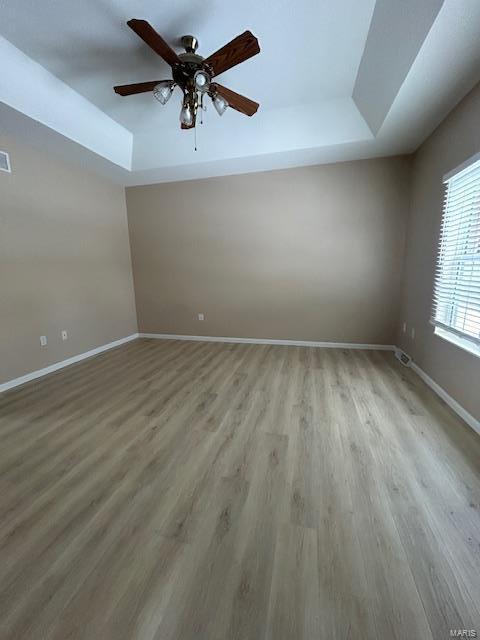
456 305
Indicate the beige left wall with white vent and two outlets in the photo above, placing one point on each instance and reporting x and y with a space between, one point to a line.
64 262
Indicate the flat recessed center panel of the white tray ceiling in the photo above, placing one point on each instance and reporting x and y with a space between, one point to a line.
88 45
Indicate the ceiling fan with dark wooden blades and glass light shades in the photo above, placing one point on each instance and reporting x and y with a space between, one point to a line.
194 74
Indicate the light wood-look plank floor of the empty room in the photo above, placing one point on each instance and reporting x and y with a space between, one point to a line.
187 490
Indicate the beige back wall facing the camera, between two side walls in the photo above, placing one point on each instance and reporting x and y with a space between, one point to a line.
312 253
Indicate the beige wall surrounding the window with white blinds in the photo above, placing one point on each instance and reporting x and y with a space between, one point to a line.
455 140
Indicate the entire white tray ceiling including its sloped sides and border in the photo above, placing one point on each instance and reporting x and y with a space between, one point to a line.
330 79
